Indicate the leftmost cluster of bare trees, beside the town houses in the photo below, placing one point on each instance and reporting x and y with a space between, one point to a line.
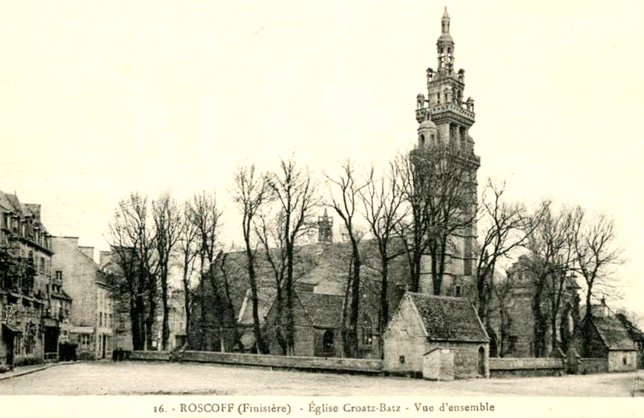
148 240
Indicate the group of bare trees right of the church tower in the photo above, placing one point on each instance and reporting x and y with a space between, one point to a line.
557 249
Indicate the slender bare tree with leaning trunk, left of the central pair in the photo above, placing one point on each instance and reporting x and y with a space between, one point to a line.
251 192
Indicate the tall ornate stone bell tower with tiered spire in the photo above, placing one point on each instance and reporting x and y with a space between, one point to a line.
445 117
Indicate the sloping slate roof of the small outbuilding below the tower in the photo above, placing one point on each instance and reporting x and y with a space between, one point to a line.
448 318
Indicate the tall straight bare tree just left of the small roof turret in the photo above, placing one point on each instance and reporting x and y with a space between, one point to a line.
296 198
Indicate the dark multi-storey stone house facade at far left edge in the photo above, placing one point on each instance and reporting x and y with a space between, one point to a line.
30 329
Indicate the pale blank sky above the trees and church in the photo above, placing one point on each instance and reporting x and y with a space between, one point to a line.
102 98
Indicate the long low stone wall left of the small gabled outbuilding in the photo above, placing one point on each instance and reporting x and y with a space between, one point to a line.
302 363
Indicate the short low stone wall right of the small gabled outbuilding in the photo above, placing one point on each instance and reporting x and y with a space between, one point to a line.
502 367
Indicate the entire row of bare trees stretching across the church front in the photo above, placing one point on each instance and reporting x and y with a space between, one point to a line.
415 208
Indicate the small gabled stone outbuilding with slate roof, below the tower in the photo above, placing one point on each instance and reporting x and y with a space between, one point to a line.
439 336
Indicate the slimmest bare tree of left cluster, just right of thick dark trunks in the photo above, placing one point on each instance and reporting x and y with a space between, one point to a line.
188 255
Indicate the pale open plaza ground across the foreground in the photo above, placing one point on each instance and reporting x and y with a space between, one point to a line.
141 378
